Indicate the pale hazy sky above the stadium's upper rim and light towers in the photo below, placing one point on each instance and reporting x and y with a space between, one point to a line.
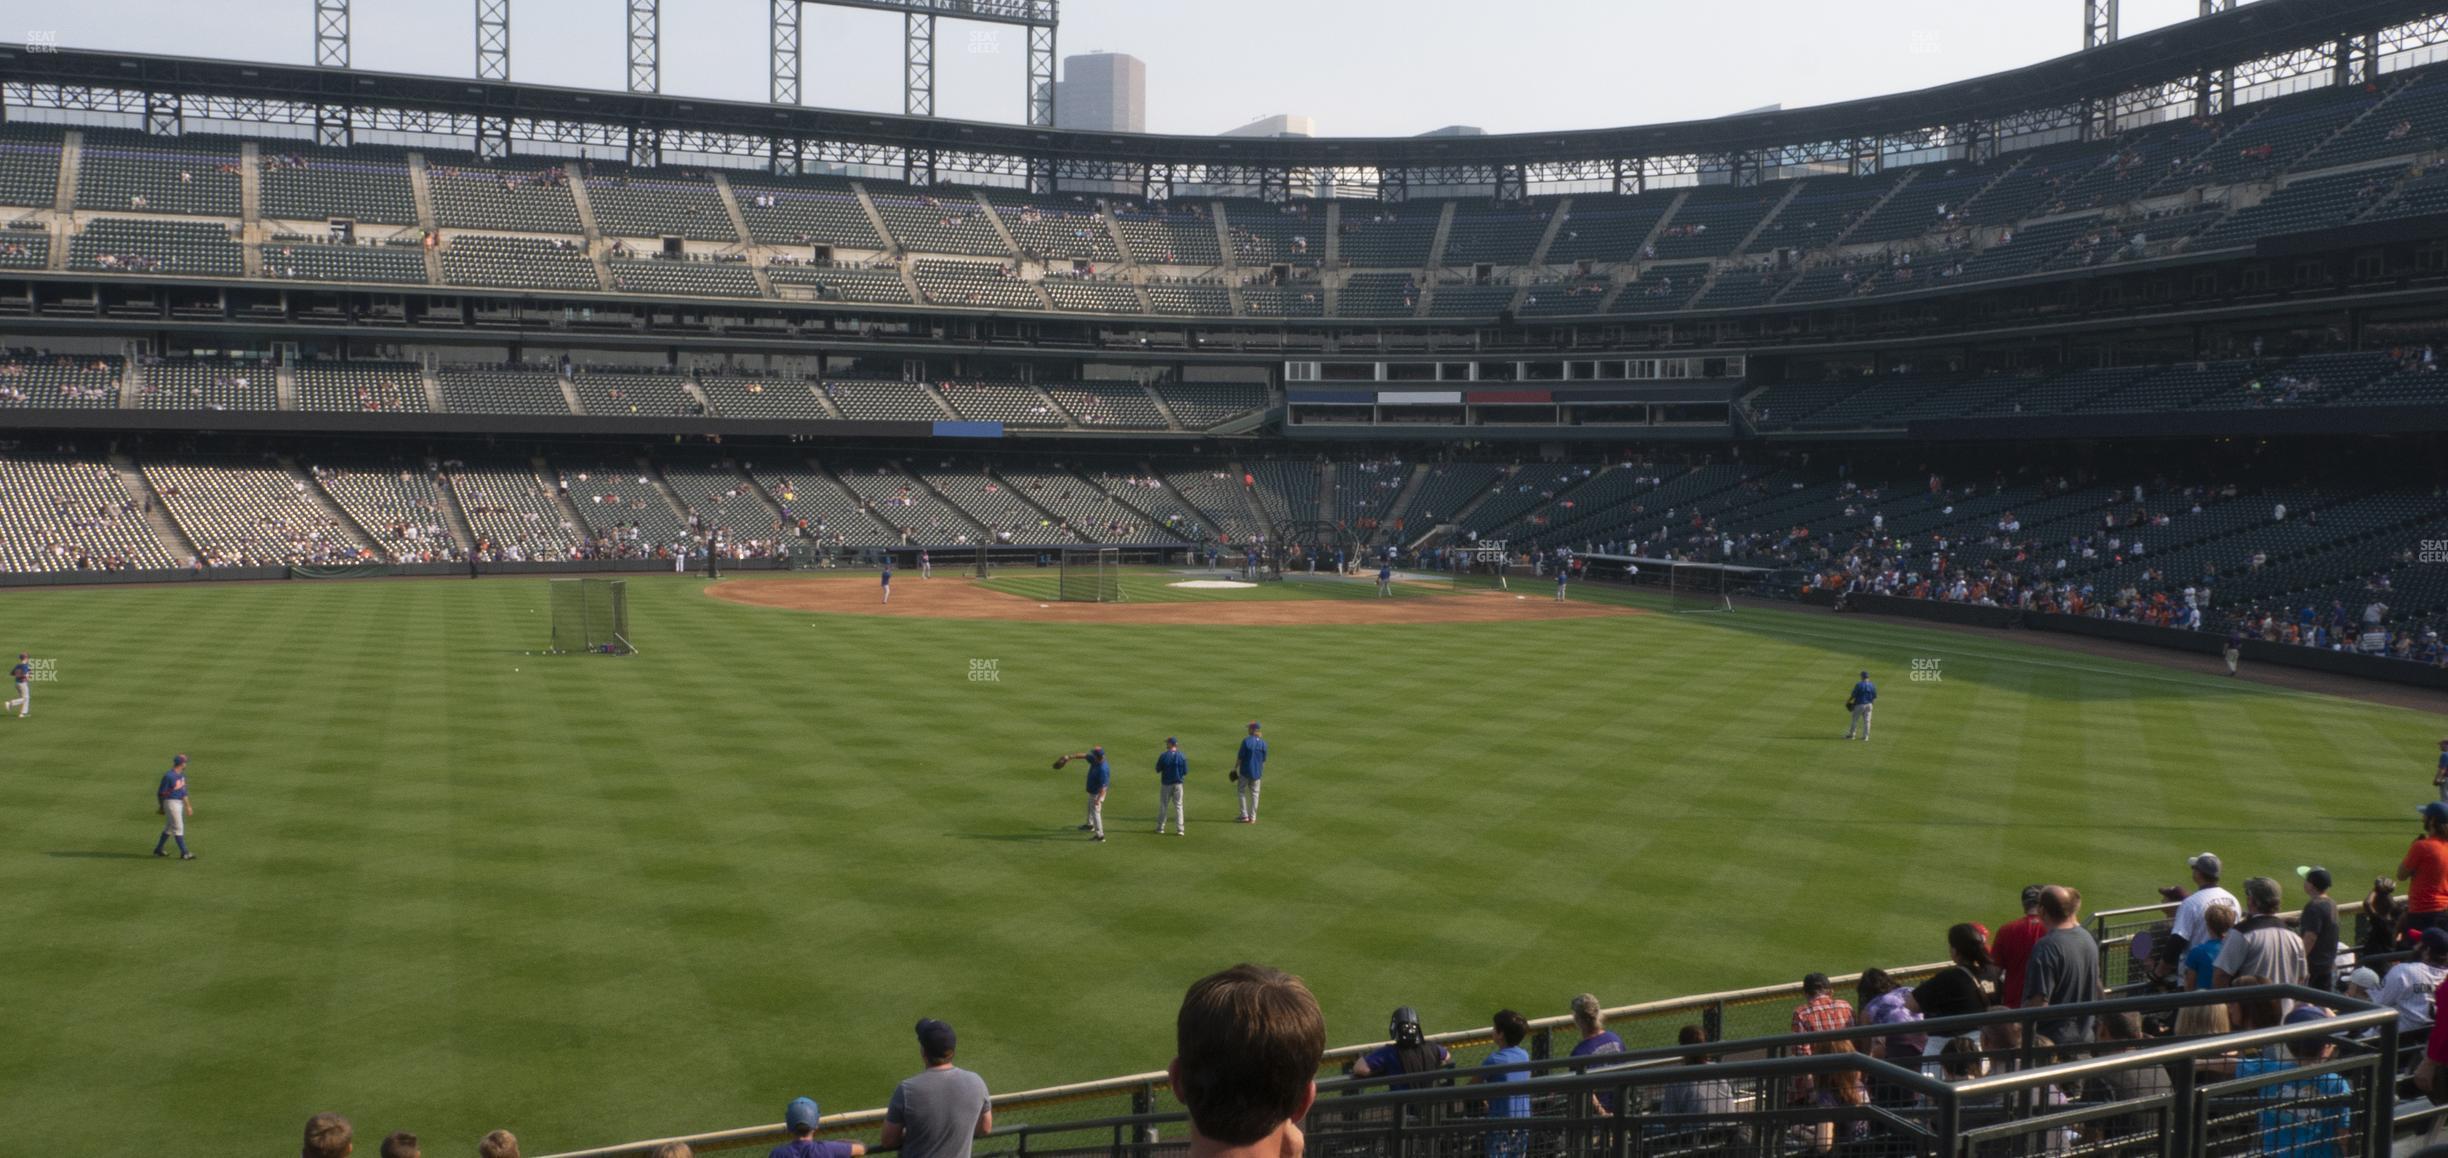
1360 67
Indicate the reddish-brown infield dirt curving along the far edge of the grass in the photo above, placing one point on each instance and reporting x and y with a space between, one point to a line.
968 601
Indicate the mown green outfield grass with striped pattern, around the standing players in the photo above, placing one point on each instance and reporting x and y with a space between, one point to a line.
449 885
